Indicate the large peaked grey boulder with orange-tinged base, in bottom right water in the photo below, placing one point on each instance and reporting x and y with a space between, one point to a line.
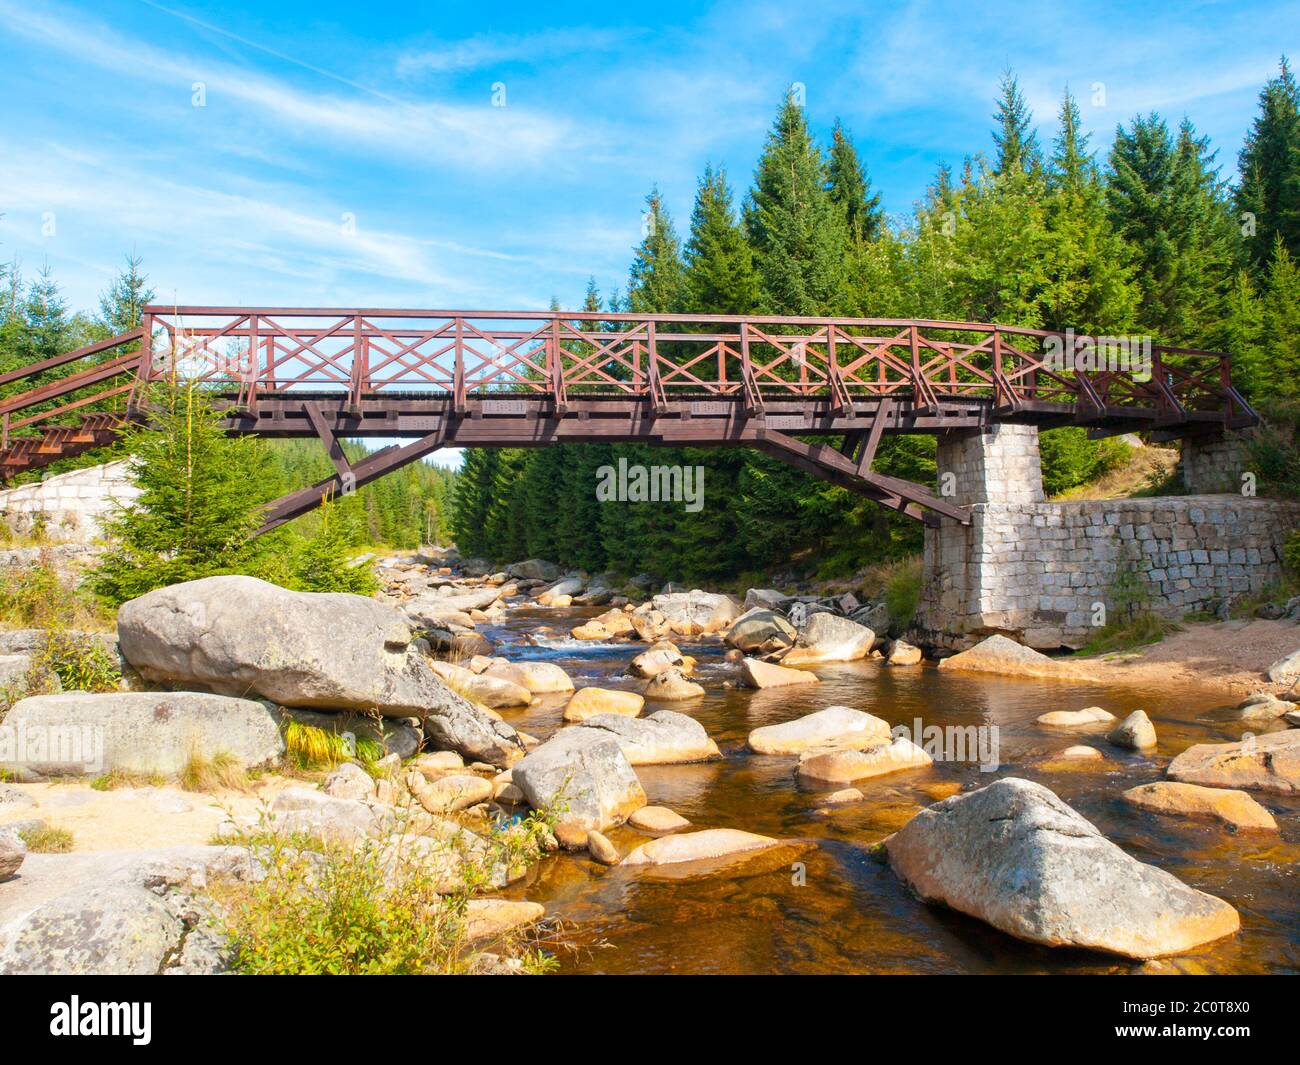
1017 856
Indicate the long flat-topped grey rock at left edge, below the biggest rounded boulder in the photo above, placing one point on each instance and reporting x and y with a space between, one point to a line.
141 731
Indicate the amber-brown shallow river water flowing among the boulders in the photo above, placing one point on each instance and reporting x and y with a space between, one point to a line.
850 914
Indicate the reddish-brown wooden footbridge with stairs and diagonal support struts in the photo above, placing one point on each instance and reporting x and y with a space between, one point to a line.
525 379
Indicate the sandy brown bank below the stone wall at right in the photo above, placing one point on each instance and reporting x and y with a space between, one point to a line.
1230 657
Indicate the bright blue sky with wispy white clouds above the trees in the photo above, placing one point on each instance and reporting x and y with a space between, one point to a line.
319 112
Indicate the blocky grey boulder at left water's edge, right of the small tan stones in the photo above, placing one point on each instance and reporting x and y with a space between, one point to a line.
584 770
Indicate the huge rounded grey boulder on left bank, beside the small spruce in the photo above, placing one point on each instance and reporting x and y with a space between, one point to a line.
242 637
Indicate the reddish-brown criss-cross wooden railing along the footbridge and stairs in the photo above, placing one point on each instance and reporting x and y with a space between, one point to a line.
253 353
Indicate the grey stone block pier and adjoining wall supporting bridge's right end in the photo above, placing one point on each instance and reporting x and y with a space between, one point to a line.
1038 572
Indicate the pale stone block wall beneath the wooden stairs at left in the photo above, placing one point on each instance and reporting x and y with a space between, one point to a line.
72 506
